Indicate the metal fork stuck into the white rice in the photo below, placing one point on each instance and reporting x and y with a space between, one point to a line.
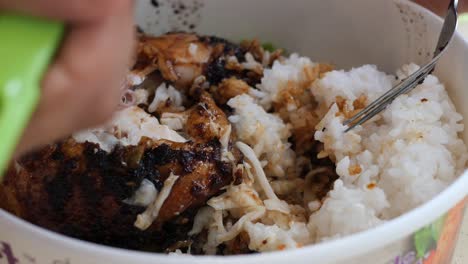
408 84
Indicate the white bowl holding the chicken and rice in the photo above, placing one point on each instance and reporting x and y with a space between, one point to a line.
388 33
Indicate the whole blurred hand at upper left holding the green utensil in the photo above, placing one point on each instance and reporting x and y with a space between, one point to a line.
82 86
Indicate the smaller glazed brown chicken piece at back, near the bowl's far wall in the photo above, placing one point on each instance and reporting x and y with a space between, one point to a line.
182 57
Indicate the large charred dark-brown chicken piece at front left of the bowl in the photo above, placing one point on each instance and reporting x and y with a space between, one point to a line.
78 189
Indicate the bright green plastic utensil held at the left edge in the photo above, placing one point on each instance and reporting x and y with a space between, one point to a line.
26 46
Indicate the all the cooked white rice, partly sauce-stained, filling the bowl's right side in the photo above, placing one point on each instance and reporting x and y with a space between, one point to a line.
383 167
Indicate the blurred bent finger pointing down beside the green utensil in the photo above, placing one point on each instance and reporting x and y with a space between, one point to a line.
82 88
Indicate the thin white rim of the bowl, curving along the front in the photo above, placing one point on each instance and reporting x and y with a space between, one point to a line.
350 245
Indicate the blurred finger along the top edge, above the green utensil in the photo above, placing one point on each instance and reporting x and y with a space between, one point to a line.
67 10
